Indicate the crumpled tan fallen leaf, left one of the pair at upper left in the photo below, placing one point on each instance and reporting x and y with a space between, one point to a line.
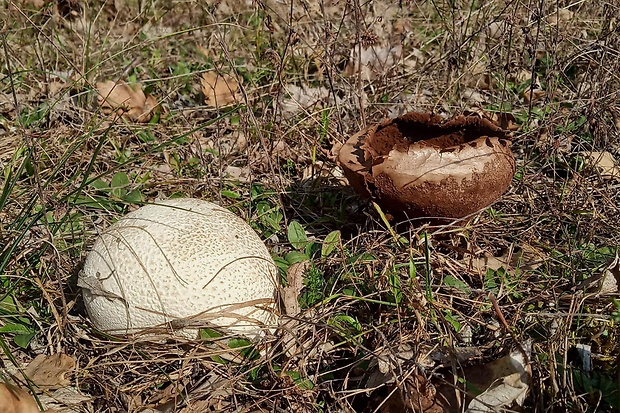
126 100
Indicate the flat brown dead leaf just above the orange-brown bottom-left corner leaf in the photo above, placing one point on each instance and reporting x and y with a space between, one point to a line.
50 372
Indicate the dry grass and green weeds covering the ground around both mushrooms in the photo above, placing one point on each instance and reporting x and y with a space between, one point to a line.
378 298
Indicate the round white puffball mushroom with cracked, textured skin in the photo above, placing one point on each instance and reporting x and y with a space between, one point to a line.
180 263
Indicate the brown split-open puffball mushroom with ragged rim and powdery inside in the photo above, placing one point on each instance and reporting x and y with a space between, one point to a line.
419 165
